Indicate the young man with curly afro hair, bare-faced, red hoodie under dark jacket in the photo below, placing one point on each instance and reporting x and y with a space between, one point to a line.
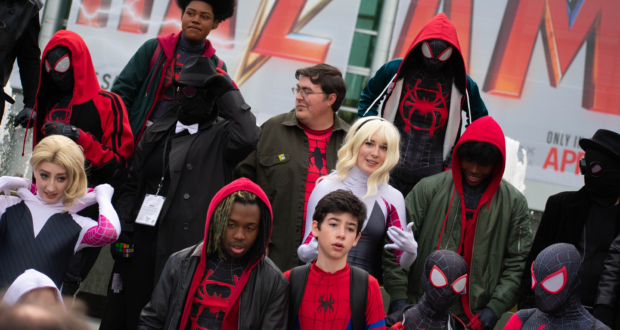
146 82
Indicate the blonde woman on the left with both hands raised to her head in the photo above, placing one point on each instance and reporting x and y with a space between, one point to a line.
40 229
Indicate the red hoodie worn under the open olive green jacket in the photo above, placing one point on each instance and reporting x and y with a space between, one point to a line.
484 129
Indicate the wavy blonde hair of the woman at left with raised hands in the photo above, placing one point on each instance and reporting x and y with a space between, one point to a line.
62 151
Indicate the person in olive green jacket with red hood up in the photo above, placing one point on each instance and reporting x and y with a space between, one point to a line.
469 210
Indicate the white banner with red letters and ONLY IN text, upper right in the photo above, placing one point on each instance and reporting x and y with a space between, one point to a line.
548 70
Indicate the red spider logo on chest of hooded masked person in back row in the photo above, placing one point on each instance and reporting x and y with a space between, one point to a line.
424 107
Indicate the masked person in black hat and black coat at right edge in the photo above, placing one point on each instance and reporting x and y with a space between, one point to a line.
589 218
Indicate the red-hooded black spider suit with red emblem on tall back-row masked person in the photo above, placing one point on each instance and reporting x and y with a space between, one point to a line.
425 103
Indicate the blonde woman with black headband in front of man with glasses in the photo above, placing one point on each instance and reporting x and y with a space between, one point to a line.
369 152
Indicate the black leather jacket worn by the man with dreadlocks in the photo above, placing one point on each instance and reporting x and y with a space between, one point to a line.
263 304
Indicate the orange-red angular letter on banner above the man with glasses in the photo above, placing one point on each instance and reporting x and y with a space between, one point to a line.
279 36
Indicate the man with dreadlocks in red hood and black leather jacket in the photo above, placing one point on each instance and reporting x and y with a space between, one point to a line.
225 276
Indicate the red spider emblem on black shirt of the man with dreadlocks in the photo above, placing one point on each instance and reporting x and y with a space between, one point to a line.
213 295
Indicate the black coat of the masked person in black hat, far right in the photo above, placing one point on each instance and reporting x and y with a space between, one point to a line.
563 222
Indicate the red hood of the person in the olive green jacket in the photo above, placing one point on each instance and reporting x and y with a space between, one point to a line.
485 129
